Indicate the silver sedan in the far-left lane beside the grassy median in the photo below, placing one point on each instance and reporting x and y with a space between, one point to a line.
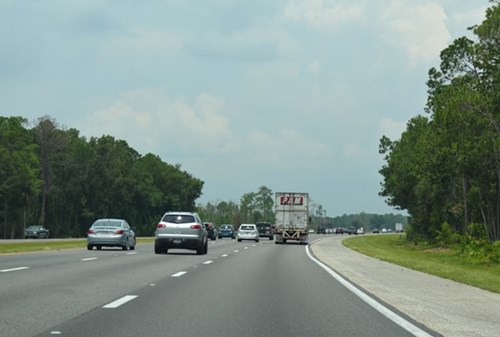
111 233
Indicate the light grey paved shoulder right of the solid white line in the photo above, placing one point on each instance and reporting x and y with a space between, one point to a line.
447 307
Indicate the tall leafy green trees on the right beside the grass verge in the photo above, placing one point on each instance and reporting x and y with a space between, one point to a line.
445 168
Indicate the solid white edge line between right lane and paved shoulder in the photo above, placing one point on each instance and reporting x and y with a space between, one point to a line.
411 328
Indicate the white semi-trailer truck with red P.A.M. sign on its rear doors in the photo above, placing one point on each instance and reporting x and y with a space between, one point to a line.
291 217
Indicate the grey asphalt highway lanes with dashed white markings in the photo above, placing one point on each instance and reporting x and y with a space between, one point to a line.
237 289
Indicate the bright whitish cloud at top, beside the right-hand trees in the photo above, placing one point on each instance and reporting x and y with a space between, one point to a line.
421 30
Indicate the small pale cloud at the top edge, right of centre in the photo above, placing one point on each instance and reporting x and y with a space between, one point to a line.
317 14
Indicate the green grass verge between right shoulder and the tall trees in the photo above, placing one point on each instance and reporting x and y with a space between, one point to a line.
446 263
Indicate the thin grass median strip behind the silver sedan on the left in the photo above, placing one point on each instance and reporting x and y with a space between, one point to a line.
48 245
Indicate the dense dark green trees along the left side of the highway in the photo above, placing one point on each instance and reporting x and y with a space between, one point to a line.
56 178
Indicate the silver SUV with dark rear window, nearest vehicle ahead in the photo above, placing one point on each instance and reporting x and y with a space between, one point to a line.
183 230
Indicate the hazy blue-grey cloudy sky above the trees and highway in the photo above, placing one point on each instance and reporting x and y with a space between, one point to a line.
290 94
